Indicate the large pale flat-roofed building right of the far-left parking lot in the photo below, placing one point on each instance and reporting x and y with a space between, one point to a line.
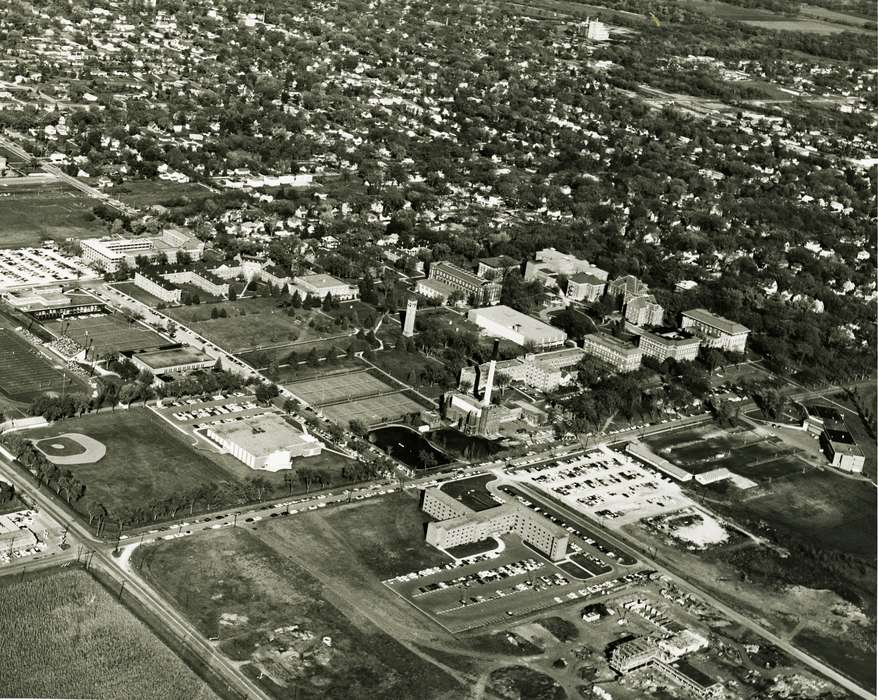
108 254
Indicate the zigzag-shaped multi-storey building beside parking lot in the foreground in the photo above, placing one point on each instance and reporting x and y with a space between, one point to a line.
457 524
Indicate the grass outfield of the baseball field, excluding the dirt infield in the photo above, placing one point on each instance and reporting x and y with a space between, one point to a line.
146 462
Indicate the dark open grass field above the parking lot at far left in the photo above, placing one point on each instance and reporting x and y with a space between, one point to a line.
31 213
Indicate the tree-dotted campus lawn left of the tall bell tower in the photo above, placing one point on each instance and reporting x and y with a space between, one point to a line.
250 323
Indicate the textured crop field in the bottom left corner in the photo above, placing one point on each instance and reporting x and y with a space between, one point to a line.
66 636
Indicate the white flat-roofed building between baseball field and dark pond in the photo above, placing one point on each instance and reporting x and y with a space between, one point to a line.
264 441
